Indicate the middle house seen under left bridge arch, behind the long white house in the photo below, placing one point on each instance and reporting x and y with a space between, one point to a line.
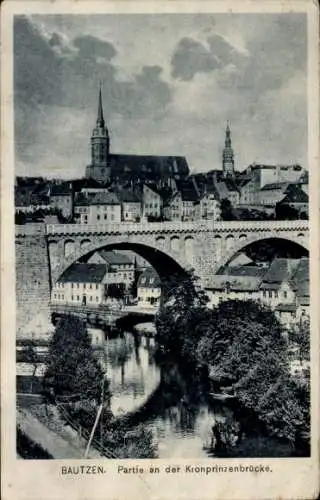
120 268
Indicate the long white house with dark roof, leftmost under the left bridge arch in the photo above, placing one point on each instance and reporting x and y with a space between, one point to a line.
81 284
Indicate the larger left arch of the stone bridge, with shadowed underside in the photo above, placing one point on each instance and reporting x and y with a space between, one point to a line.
165 261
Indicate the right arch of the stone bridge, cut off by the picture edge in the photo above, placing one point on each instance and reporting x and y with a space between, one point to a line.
243 244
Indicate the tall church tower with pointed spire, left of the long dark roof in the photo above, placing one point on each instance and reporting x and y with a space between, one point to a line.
100 143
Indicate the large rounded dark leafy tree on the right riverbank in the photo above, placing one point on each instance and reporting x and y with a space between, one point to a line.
245 348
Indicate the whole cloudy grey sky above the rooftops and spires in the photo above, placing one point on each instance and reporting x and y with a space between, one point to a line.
169 83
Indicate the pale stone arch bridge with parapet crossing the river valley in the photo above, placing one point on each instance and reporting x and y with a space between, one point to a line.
170 247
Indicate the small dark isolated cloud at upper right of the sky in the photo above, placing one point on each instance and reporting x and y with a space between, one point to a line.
192 56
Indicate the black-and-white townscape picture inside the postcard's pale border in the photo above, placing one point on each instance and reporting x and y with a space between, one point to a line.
162 237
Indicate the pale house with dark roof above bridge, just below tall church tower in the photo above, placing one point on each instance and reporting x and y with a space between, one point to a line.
97 208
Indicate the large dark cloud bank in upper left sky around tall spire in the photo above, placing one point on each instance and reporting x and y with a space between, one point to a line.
53 72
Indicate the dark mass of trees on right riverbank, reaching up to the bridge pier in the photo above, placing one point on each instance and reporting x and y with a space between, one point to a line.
241 344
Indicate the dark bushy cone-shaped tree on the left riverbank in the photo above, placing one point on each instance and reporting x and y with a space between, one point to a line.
72 370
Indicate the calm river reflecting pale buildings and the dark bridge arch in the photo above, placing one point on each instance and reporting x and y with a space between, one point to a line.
179 412
